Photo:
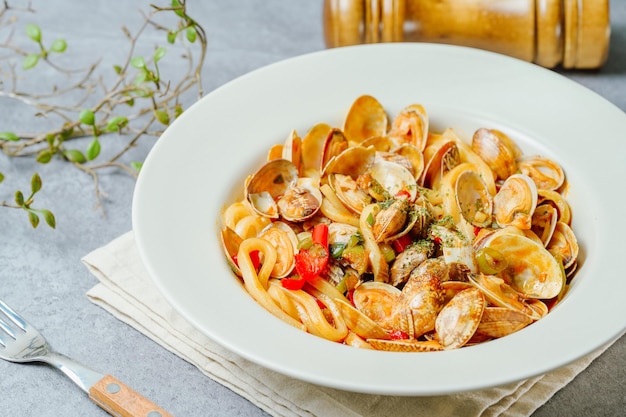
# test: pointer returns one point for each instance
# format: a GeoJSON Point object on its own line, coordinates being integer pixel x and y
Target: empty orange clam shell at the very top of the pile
{"type": "Point", "coordinates": [366, 118]}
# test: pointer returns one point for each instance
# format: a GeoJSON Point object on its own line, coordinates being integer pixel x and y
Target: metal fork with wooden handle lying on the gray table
{"type": "Point", "coordinates": [21, 342]}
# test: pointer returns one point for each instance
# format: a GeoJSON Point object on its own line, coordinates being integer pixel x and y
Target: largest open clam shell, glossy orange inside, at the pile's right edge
{"type": "Point", "coordinates": [531, 270]}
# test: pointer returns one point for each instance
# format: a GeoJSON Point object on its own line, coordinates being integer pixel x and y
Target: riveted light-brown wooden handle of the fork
{"type": "Point", "coordinates": [119, 400]}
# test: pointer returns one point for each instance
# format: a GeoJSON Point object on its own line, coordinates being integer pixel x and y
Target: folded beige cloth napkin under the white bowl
{"type": "Point", "coordinates": [127, 292]}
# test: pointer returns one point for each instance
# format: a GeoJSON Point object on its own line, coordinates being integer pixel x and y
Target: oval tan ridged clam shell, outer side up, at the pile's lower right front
{"type": "Point", "coordinates": [460, 317]}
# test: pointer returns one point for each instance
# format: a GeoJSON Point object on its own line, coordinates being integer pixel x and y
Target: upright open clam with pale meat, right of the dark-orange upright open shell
{"type": "Point", "coordinates": [515, 202]}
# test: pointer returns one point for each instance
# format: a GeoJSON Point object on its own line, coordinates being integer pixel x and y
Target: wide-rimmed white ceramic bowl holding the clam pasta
{"type": "Point", "coordinates": [199, 164]}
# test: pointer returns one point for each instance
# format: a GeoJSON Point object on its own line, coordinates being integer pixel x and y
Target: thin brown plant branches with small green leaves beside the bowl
{"type": "Point", "coordinates": [136, 103]}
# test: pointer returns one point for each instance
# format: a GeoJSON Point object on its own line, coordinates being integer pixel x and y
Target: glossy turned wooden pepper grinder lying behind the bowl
{"type": "Point", "coordinates": [570, 33]}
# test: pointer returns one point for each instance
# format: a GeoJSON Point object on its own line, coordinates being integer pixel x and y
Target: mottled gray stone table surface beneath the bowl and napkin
{"type": "Point", "coordinates": [40, 270]}
